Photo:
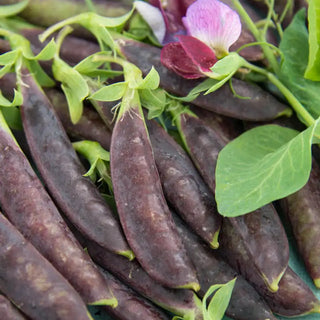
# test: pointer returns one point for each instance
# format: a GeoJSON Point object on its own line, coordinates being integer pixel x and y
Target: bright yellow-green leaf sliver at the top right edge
{"type": "Point", "coordinates": [313, 68]}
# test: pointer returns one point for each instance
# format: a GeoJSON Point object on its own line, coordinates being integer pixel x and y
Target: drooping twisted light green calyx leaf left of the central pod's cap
{"type": "Point", "coordinates": [73, 85]}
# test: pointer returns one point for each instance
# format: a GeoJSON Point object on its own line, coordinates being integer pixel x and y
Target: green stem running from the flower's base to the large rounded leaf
{"type": "Point", "coordinates": [294, 102]}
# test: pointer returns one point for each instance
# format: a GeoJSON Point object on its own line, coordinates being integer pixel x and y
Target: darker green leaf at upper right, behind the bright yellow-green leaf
{"type": "Point", "coordinates": [294, 46]}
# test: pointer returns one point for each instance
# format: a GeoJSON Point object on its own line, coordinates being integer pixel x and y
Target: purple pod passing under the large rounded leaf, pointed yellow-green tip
{"type": "Point", "coordinates": [262, 233]}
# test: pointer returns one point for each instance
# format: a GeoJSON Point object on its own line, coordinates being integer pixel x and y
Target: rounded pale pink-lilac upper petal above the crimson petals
{"type": "Point", "coordinates": [214, 23]}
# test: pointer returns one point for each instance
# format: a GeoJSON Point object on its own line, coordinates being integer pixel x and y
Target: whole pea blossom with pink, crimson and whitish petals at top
{"type": "Point", "coordinates": [192, 43]}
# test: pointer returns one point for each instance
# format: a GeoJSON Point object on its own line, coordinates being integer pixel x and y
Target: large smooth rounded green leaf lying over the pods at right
{"type": "Point", "coordinates": [262, 165]}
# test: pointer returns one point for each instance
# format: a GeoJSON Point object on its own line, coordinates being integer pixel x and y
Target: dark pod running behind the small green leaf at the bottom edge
{"type": "Point", "coordinates": [245, 303]}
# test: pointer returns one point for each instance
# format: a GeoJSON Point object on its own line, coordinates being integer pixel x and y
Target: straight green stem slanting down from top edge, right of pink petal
{"type": "Point", "coordinates": [257, 34]}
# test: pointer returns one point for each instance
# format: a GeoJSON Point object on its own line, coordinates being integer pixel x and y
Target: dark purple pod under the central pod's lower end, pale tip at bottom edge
{"type": "Point", "coordinates": [181, 302]}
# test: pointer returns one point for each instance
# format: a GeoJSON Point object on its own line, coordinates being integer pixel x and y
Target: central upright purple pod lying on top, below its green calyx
{"type": "Point", "coordinates": [143, 211]}
